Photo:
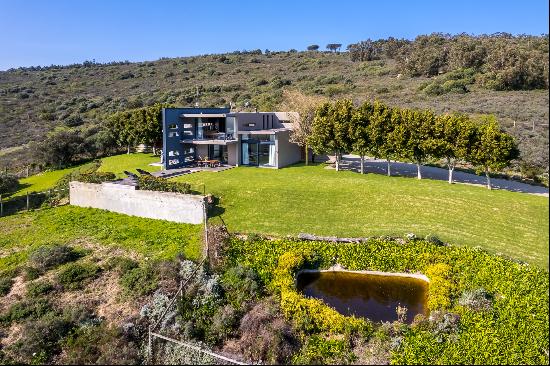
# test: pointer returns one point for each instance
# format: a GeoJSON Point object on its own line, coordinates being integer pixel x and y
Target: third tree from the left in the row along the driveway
{"type": "Point", "coordinates": [383, 122]}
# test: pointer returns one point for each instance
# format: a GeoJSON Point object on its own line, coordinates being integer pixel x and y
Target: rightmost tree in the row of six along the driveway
{"type": "Point", "coordinates": [493, 149]}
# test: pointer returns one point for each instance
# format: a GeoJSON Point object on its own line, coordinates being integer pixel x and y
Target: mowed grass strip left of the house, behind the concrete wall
{"type": "Point", "coordinates": [116, 164]}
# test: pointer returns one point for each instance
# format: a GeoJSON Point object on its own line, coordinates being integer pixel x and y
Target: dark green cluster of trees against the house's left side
{"type": "Point", "coordinates": [138, 126]}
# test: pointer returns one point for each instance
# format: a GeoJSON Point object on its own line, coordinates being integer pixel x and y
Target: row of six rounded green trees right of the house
{"type": "Point", "coordinates": [375, 129]}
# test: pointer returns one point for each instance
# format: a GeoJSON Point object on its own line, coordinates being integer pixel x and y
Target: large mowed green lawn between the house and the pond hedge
{"type": "Point", "coordinates": [315, 200]}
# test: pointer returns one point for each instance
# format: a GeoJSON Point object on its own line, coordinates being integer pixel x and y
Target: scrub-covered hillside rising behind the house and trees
{"type": "Point", "coordinates": [33, 101]}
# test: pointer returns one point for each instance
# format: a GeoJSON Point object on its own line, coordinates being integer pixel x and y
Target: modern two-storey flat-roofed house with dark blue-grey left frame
{"type": "Point", "coordinates": [258, 139]}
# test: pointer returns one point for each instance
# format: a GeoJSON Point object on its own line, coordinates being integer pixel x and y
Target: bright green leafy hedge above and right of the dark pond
{"type": "Point", "coordinates": [513, 331]}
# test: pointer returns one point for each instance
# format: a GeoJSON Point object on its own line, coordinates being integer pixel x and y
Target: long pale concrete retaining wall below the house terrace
{"type": "Point", "coordinates": [177, 207]}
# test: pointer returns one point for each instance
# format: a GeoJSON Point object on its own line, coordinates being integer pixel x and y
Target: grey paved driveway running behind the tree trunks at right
{"type": "Point", "coordinates": [353, 162]}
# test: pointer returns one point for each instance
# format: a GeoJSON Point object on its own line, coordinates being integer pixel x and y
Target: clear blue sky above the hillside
{"type": "Point", "coordinates": [43, 32]}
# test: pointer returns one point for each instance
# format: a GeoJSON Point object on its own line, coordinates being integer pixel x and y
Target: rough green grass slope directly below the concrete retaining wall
{"type": "Point", "coordinates": [154, 239]}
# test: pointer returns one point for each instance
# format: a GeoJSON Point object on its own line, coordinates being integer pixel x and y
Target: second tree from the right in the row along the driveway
{"type": "Point", "coordinates": [453, 137]}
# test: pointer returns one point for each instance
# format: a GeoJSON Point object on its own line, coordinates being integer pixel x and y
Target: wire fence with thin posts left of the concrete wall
{"type": "Point", "coordinates": [26, 202]}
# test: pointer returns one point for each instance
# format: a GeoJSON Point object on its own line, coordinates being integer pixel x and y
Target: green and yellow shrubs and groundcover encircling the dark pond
{"type": "Point", "coordinates": [484, 309]}
